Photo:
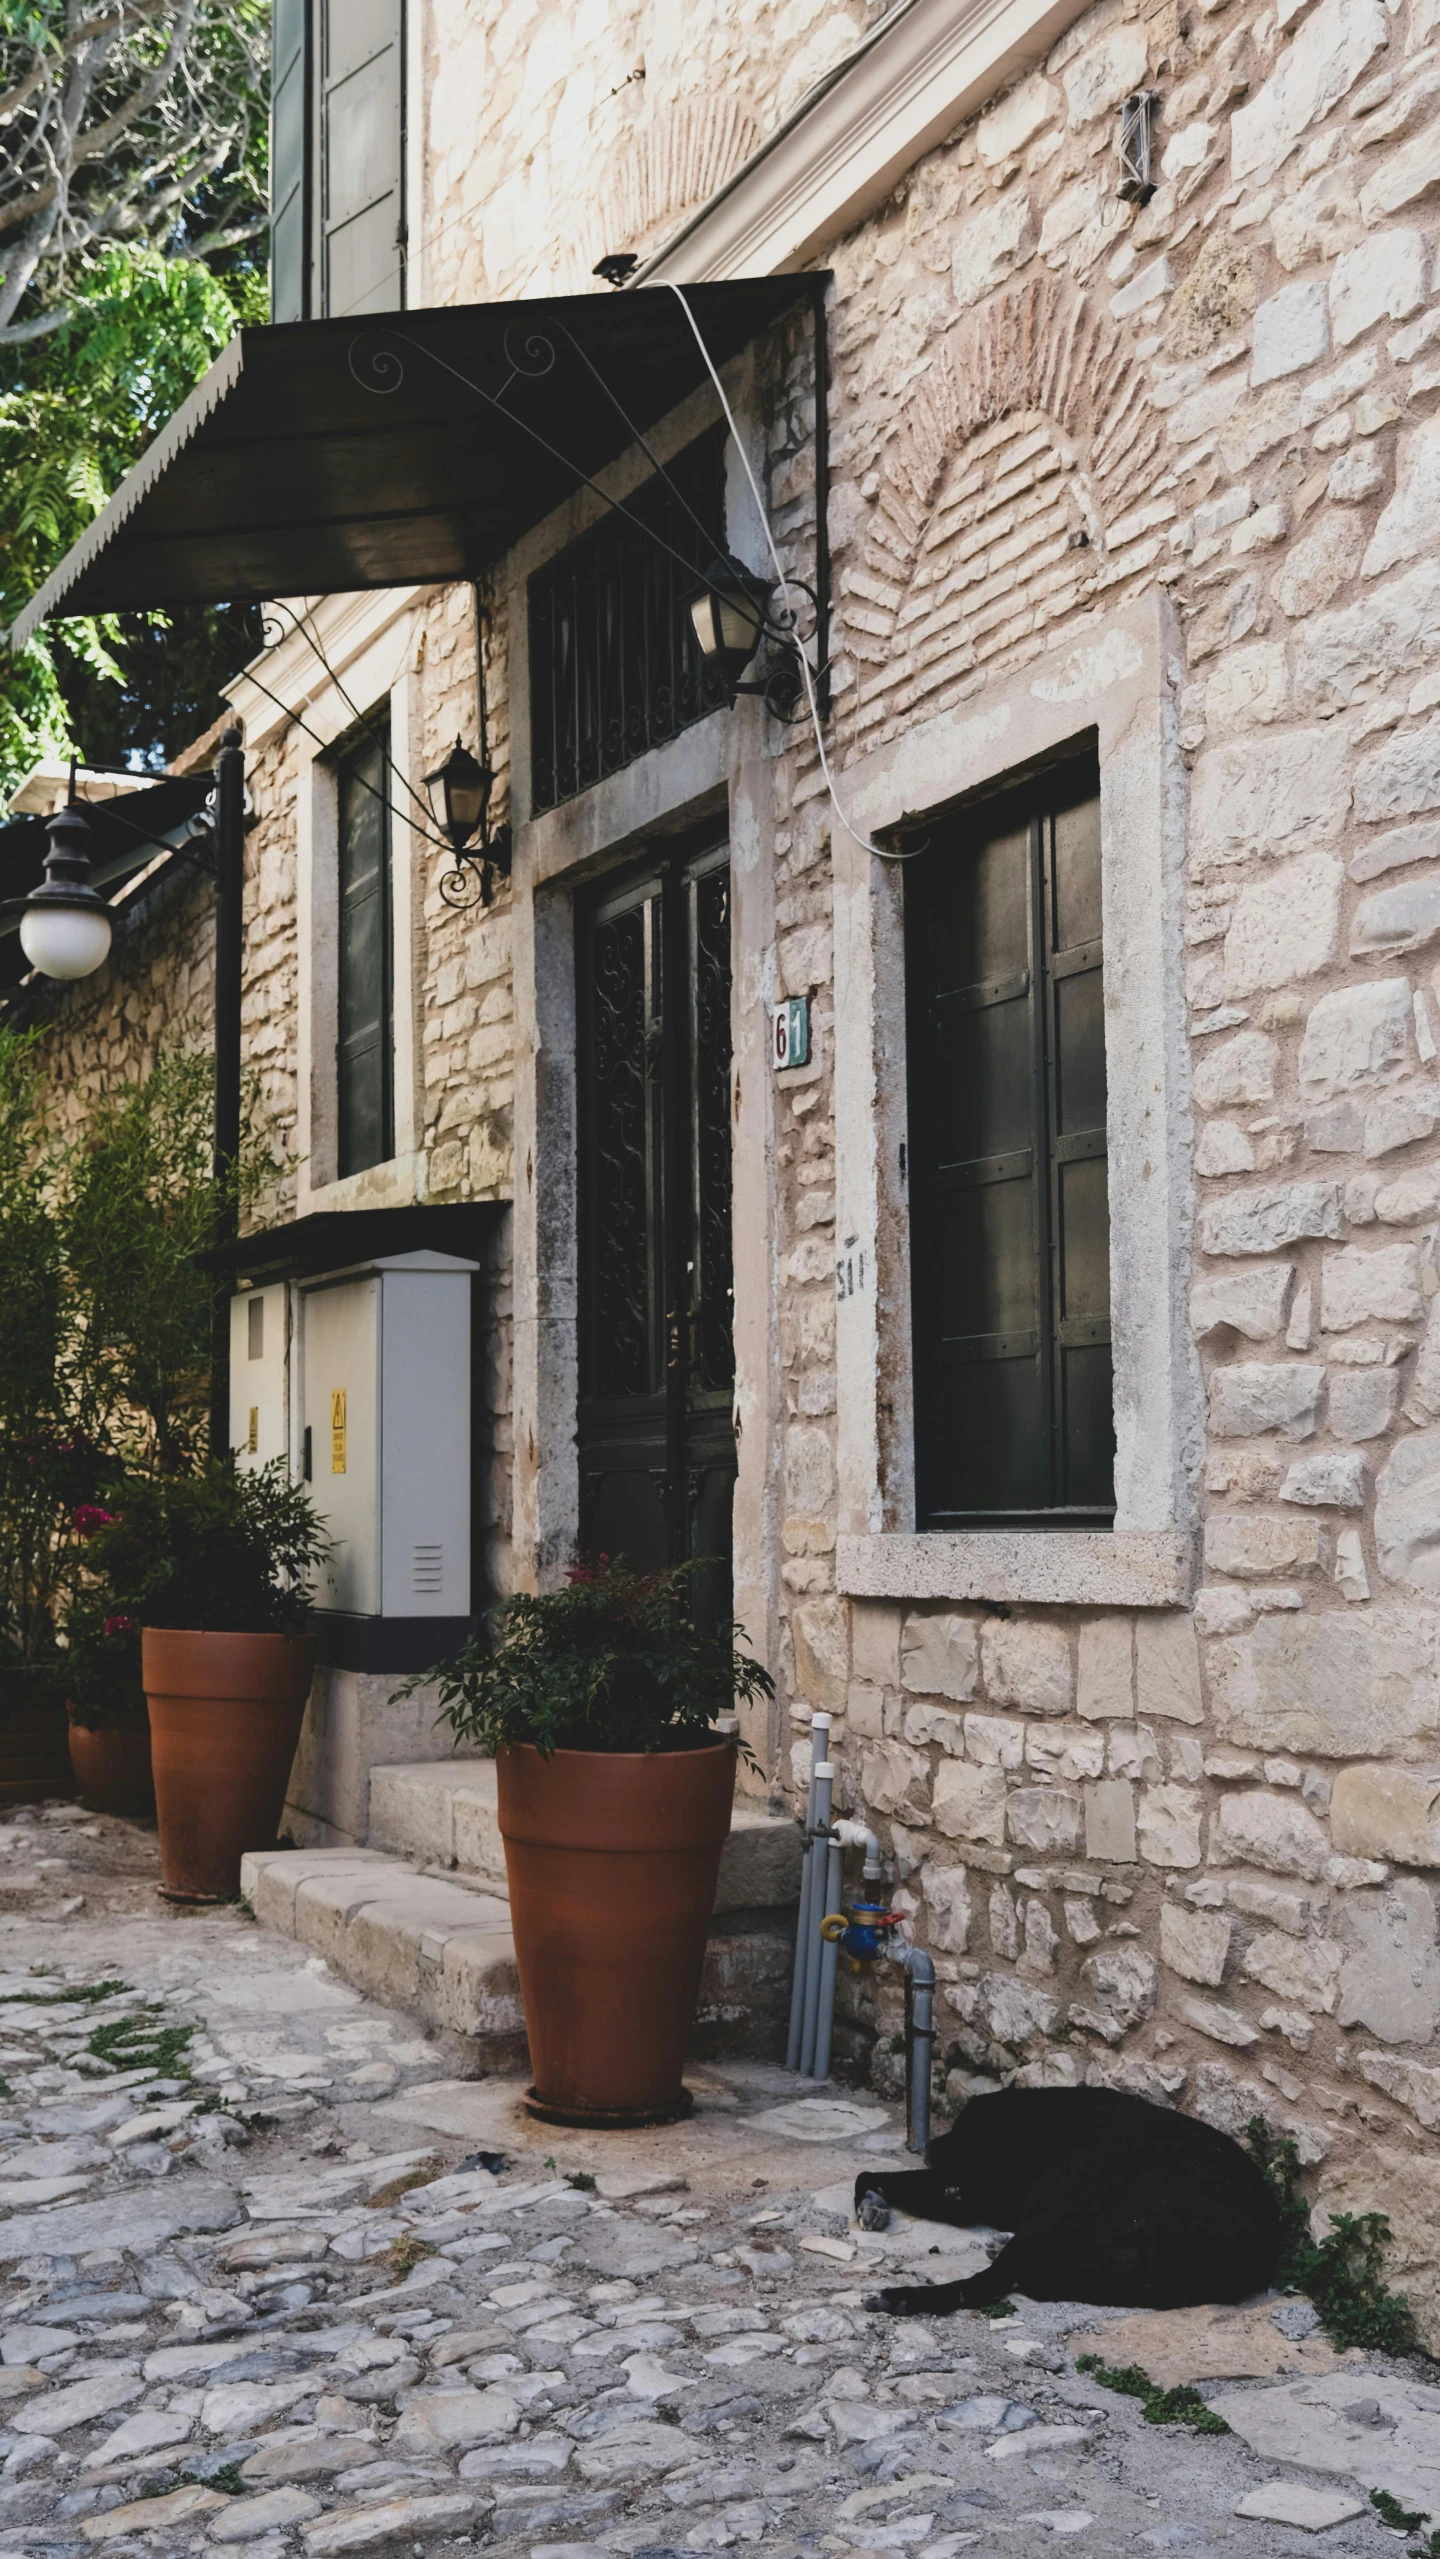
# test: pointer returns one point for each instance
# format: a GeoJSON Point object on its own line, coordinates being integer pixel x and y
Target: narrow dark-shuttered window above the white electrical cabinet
{"type": "Point", "coordinates": [364, 997]}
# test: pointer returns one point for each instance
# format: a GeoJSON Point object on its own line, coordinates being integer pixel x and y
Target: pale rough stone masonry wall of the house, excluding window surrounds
{"type": "Point", "coordinates": [1186, 1849]}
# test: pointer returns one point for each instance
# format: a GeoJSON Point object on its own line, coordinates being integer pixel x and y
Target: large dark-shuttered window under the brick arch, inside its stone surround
{"type": "Point", "coordinates": [1012, 1232]}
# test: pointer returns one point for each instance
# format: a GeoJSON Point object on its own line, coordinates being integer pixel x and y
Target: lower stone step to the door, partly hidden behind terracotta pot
{"type": "Point", "coordinates": [444, 1949]}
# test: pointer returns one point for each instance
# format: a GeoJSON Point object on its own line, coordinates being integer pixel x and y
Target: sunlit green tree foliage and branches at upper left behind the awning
{"type": "Point", "coordinates": [132, 244]}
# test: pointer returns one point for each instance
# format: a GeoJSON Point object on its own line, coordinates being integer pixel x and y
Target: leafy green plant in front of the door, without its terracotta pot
{"type": "Point", "coordinates": [610, 1662]}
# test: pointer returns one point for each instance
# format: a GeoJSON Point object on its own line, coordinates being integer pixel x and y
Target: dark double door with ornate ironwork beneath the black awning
{"type": "Point", "coordinates": [656, 1422]}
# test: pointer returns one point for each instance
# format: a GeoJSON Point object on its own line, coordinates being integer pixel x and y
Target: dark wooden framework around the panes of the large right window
{"type": "Point", "coordinates": [1022, 807]}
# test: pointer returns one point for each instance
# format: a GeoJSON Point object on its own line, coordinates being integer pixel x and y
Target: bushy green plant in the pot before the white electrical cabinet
{"type": "Point", "coordinates": [226, 1552]}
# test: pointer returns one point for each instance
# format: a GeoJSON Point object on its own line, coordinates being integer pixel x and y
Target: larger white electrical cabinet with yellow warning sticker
{"type": "Point", "coordinates": [382, 1370]}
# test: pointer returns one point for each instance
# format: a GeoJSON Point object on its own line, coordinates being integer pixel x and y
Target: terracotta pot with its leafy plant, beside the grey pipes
{"type": "Point", "coordinates": [600, 1706]}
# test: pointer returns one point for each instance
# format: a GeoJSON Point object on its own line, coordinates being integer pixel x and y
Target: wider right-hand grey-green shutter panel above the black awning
{"type": "Point", "coordinates": [362, 155]}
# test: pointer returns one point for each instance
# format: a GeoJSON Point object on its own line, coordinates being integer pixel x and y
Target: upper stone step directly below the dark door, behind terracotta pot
{"type": "Point", "coordinates": [444, 1813]}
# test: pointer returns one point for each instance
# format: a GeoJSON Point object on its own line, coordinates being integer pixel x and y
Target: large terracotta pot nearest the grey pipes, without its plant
{"type": "Point", "coordinates": [613, 1877]}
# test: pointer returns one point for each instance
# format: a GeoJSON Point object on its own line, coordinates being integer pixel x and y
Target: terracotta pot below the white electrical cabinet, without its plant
{"type": "Point", "coordinates": [226, 1718]}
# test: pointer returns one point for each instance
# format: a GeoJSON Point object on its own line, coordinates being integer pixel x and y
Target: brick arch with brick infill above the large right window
{"type": "Point", "coordinates": [1006, 503]}
